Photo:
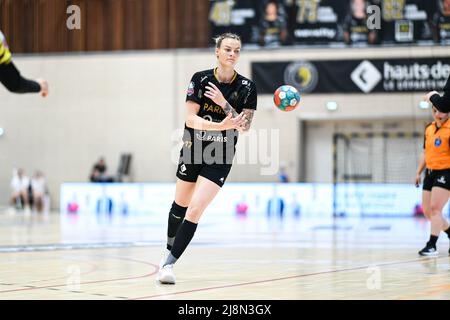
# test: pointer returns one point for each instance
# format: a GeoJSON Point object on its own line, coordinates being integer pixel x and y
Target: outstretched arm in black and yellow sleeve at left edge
{"type": "Point", "coordinates": [11, 78]}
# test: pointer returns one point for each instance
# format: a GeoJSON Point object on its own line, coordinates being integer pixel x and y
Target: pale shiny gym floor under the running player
{"type": "Point", "coordinates": [96, 257]}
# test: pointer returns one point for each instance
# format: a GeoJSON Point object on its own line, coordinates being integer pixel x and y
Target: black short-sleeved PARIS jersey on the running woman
{"type": "Point", "coordinates": [240, 94]}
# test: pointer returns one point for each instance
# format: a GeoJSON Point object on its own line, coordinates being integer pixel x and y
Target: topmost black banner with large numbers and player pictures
{"type": "Point", "coordinates": [332, 21]}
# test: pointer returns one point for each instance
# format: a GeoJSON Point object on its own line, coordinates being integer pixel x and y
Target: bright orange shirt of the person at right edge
{"type": "Point", "coordinates": [437, 146]}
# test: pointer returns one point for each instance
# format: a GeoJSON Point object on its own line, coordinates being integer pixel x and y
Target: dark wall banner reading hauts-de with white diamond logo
{"type": "Point", "coordinates": [353, 76]}
